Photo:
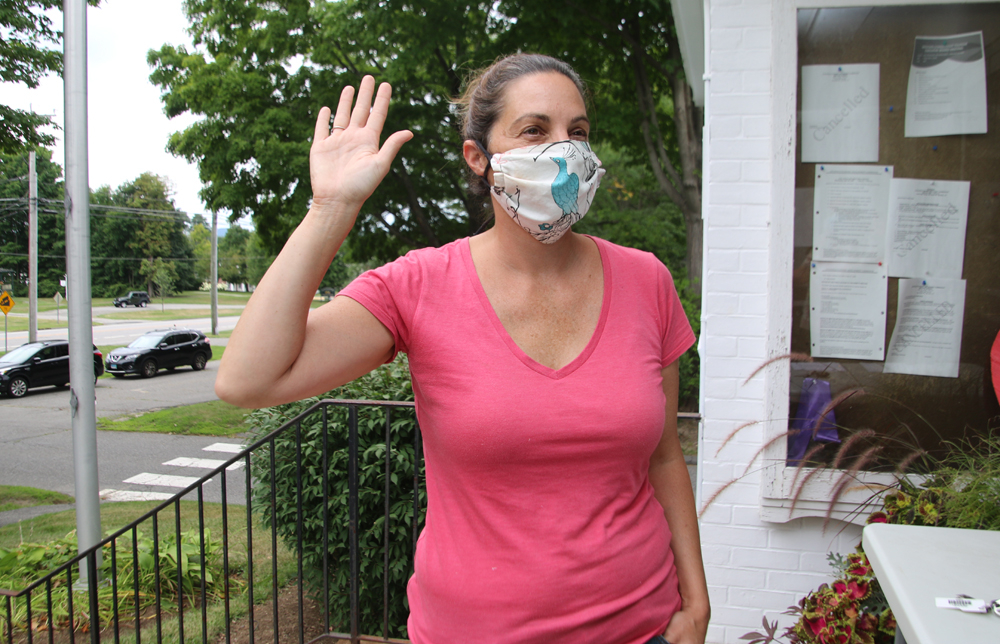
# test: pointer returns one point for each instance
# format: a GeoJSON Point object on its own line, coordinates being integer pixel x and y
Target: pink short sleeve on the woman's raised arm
{"type": "Point", "coordinates": [390, 293]}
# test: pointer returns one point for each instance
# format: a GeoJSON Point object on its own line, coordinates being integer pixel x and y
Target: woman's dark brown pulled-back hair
{"type": "Point", "coordinates": [482, 101]}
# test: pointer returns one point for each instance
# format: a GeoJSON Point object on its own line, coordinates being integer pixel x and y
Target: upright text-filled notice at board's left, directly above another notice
{"type": "Point", "coordinates": [850, 212]}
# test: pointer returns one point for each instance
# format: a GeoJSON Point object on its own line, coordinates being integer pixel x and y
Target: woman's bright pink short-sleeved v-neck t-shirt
{"type": "Point", "coordinates": [541, 527]}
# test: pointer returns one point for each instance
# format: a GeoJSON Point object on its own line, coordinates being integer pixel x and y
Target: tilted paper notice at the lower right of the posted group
{"type": "Point", "coordinates": [927, 340]}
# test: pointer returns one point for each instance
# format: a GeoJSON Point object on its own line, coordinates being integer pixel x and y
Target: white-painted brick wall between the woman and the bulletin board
{"type": "Point", "coordinates": [755, 569]}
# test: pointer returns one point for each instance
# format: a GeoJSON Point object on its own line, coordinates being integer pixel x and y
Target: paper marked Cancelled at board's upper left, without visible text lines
{"type": "Point", "coordinates": [840, 113]}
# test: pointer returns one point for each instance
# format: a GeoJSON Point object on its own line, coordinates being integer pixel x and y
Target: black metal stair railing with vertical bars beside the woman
{"type": "Point", "coordinates": [32, 614]}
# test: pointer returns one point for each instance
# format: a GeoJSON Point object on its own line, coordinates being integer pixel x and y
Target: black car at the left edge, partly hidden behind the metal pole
{"type": "Point", "coordinates": [37, 364]}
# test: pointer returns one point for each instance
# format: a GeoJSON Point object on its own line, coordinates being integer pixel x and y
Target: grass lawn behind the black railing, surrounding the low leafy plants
{"type": "Point", "coordinates": [114, 516]}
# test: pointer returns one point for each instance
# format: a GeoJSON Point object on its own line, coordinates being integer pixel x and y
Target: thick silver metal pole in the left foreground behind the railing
{"type": "Point", "coordinates": [81, 337]}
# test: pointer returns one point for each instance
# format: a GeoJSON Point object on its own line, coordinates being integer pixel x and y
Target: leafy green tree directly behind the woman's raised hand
{"type": "Point", "coordinates": [252, 144]}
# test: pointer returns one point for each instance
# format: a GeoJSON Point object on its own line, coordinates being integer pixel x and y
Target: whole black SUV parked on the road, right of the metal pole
{"type": "Point", "coordinates": [160, 349]}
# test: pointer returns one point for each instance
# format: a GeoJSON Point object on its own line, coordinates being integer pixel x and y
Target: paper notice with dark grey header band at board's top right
{"type": "Point", "coordinates": [946, 92]}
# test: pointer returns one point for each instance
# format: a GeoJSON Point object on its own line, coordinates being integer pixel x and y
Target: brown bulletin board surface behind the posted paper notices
{"type": "Point", "coordinates": [905, 411]}
